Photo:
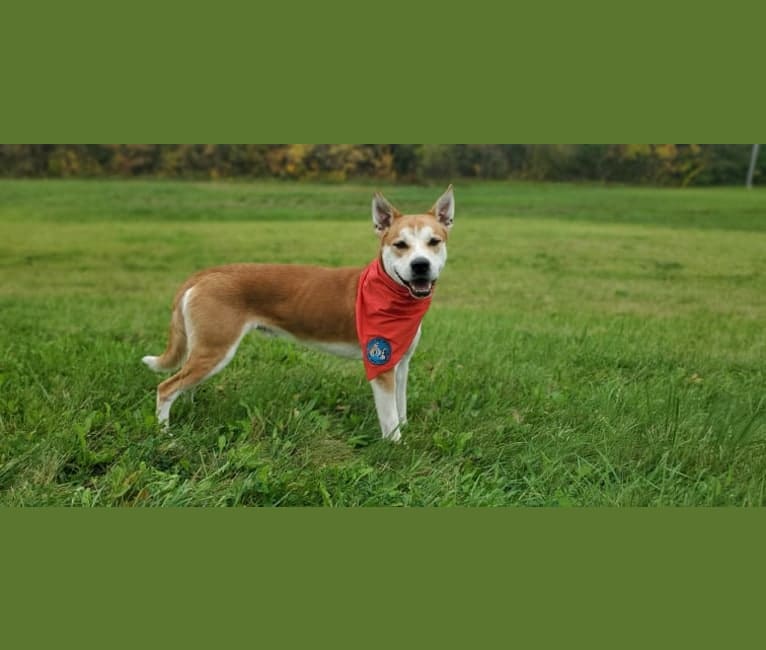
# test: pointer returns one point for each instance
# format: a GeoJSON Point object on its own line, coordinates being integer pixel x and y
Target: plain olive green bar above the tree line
{"type": "Point", "coordinates": [400, 72]}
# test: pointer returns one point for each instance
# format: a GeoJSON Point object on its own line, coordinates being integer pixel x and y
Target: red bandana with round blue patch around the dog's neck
{"type": "Point", "coordinates": [387, 319]}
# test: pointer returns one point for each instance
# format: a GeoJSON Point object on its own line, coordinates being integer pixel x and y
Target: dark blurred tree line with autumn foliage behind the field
{"type": "Point", "coordinates": [655, 164]}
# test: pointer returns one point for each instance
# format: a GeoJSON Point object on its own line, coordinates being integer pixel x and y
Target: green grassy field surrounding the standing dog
{"type": "Point", "coordinates": [586, 346]}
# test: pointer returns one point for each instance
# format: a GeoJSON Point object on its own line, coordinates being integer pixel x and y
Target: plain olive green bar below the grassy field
{"type": "Point", "coordinates": [358, 578]}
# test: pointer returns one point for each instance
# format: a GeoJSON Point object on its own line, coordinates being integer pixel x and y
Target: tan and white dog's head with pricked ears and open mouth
{"type": "Point", "coordinates": [413, 248]}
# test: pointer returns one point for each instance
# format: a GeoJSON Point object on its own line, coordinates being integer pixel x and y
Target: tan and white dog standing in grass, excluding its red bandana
{"type": "Point", "coordinates": [215, 308]}
